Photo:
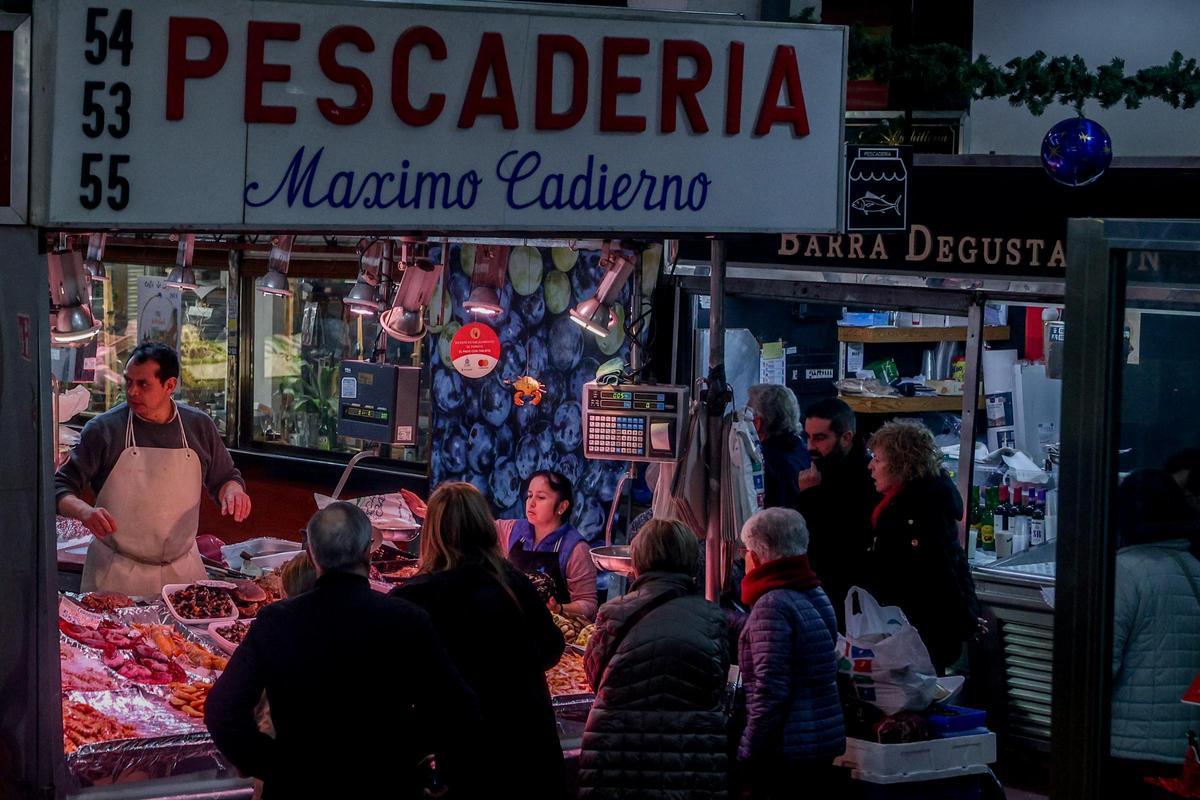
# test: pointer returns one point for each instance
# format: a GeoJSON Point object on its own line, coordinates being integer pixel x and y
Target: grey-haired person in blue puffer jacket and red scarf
{"type": "Point", "coordinates": [795, 726]}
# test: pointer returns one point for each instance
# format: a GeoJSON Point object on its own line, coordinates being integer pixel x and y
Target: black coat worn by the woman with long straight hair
{"type": "Point", "coordinates": [503, 653]}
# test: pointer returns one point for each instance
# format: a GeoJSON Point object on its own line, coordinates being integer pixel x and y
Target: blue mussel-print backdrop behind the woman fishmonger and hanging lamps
{"type": "Point", "coordinates": [481, 435]}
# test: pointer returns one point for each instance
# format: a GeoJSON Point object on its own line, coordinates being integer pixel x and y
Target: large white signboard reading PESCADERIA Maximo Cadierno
{"type": "Point", "coordinates": [269, 116]}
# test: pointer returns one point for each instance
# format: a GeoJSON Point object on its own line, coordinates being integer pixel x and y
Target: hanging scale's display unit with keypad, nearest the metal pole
{"type": "Point", "coordinates": [634, 423]}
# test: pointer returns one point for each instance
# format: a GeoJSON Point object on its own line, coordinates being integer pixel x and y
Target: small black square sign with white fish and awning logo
{"type": "Point", "coordinates": [878, 188]}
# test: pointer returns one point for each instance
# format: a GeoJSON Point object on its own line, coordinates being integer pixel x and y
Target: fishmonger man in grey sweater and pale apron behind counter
{"type": "Point", "coordinates": [147, 461]}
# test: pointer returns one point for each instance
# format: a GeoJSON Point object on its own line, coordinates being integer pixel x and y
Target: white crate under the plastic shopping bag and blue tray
{"type": "Point", "coordinates": [932, 756]}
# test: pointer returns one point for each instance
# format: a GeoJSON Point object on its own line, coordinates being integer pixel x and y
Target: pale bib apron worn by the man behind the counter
{"type": "Point", "coordinates": [154, 495]}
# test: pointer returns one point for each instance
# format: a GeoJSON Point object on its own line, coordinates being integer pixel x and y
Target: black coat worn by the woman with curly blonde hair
{"type": "Point", "coordinates": [916, 563]}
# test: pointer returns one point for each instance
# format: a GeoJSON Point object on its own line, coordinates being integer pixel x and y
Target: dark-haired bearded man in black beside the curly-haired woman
{"type": "Point", "coordinates": [837, 498]}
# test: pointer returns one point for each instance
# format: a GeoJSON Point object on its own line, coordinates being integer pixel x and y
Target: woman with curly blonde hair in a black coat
{"type": "Point", "coordinates": [916, 561]}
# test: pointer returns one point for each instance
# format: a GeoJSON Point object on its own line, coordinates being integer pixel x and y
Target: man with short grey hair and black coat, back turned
{"type": "Point", "coordinates": [361, 688]}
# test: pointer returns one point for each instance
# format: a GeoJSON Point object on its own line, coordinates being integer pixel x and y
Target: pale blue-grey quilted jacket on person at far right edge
{"type": "Point", "coordinates": [1156, 652]}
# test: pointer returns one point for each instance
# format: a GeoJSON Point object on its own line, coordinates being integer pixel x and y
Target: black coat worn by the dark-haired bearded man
{"type": "Point", "coordinates": [838, 513]}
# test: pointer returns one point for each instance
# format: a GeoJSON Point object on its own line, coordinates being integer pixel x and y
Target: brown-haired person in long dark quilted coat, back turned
{"type": "Point", "coordinates": [659, 664]}
